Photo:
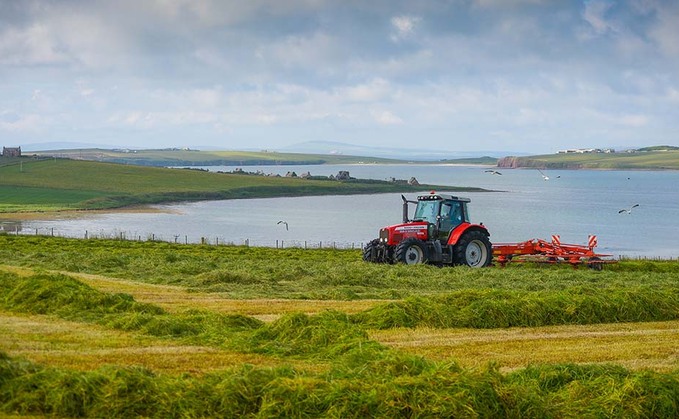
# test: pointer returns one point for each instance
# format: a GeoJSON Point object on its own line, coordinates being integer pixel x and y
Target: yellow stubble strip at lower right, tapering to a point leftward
{"type": "Point", "coordinates": [636, 346]}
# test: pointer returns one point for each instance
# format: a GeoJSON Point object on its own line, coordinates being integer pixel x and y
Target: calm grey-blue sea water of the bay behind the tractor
{"type": "Point", "coordinates": [571, 203]}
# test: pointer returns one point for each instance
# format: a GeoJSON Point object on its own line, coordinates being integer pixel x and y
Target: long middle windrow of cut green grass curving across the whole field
{"type": "Point", "coordinates": [70, 299]}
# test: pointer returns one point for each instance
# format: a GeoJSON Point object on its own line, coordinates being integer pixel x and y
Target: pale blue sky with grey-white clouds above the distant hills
{"type": "Point", "coordinates": [461, 75]}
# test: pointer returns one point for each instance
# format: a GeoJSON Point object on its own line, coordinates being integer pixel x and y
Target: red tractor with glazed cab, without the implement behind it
{"type": "Point", "coordinates": [440, 233]}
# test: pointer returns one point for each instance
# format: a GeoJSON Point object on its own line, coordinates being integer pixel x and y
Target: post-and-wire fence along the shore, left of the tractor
{"type": "Point", "coordinates": [186, 239]}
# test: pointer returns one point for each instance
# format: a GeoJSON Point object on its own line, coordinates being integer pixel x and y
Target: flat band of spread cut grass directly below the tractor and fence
{"type": "Point", "coordinates": [240, 272]}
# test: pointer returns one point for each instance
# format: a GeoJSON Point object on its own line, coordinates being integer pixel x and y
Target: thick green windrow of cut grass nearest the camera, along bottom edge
{"type": "Point", "coordinates": [397, 386]}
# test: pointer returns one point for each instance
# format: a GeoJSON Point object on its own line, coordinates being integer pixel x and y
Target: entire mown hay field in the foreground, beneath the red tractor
{"type": "Point", "coordinates": [92, 328]}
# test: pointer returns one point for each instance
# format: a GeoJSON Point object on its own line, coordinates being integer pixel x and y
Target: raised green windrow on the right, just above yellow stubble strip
{"type": "Point", "coordinates": [487, 309]}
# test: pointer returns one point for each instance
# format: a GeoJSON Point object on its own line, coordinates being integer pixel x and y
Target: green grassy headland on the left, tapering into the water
{"type": "Point", "coordinates": [61, 184]}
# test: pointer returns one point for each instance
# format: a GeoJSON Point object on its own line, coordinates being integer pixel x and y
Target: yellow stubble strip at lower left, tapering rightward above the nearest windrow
{"type": "Point", "coordinates": [86, 346]}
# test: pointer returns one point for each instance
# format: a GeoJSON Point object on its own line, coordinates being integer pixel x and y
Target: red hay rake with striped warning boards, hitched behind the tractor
{"type": "Point", "coordinates": [542, 251]}
